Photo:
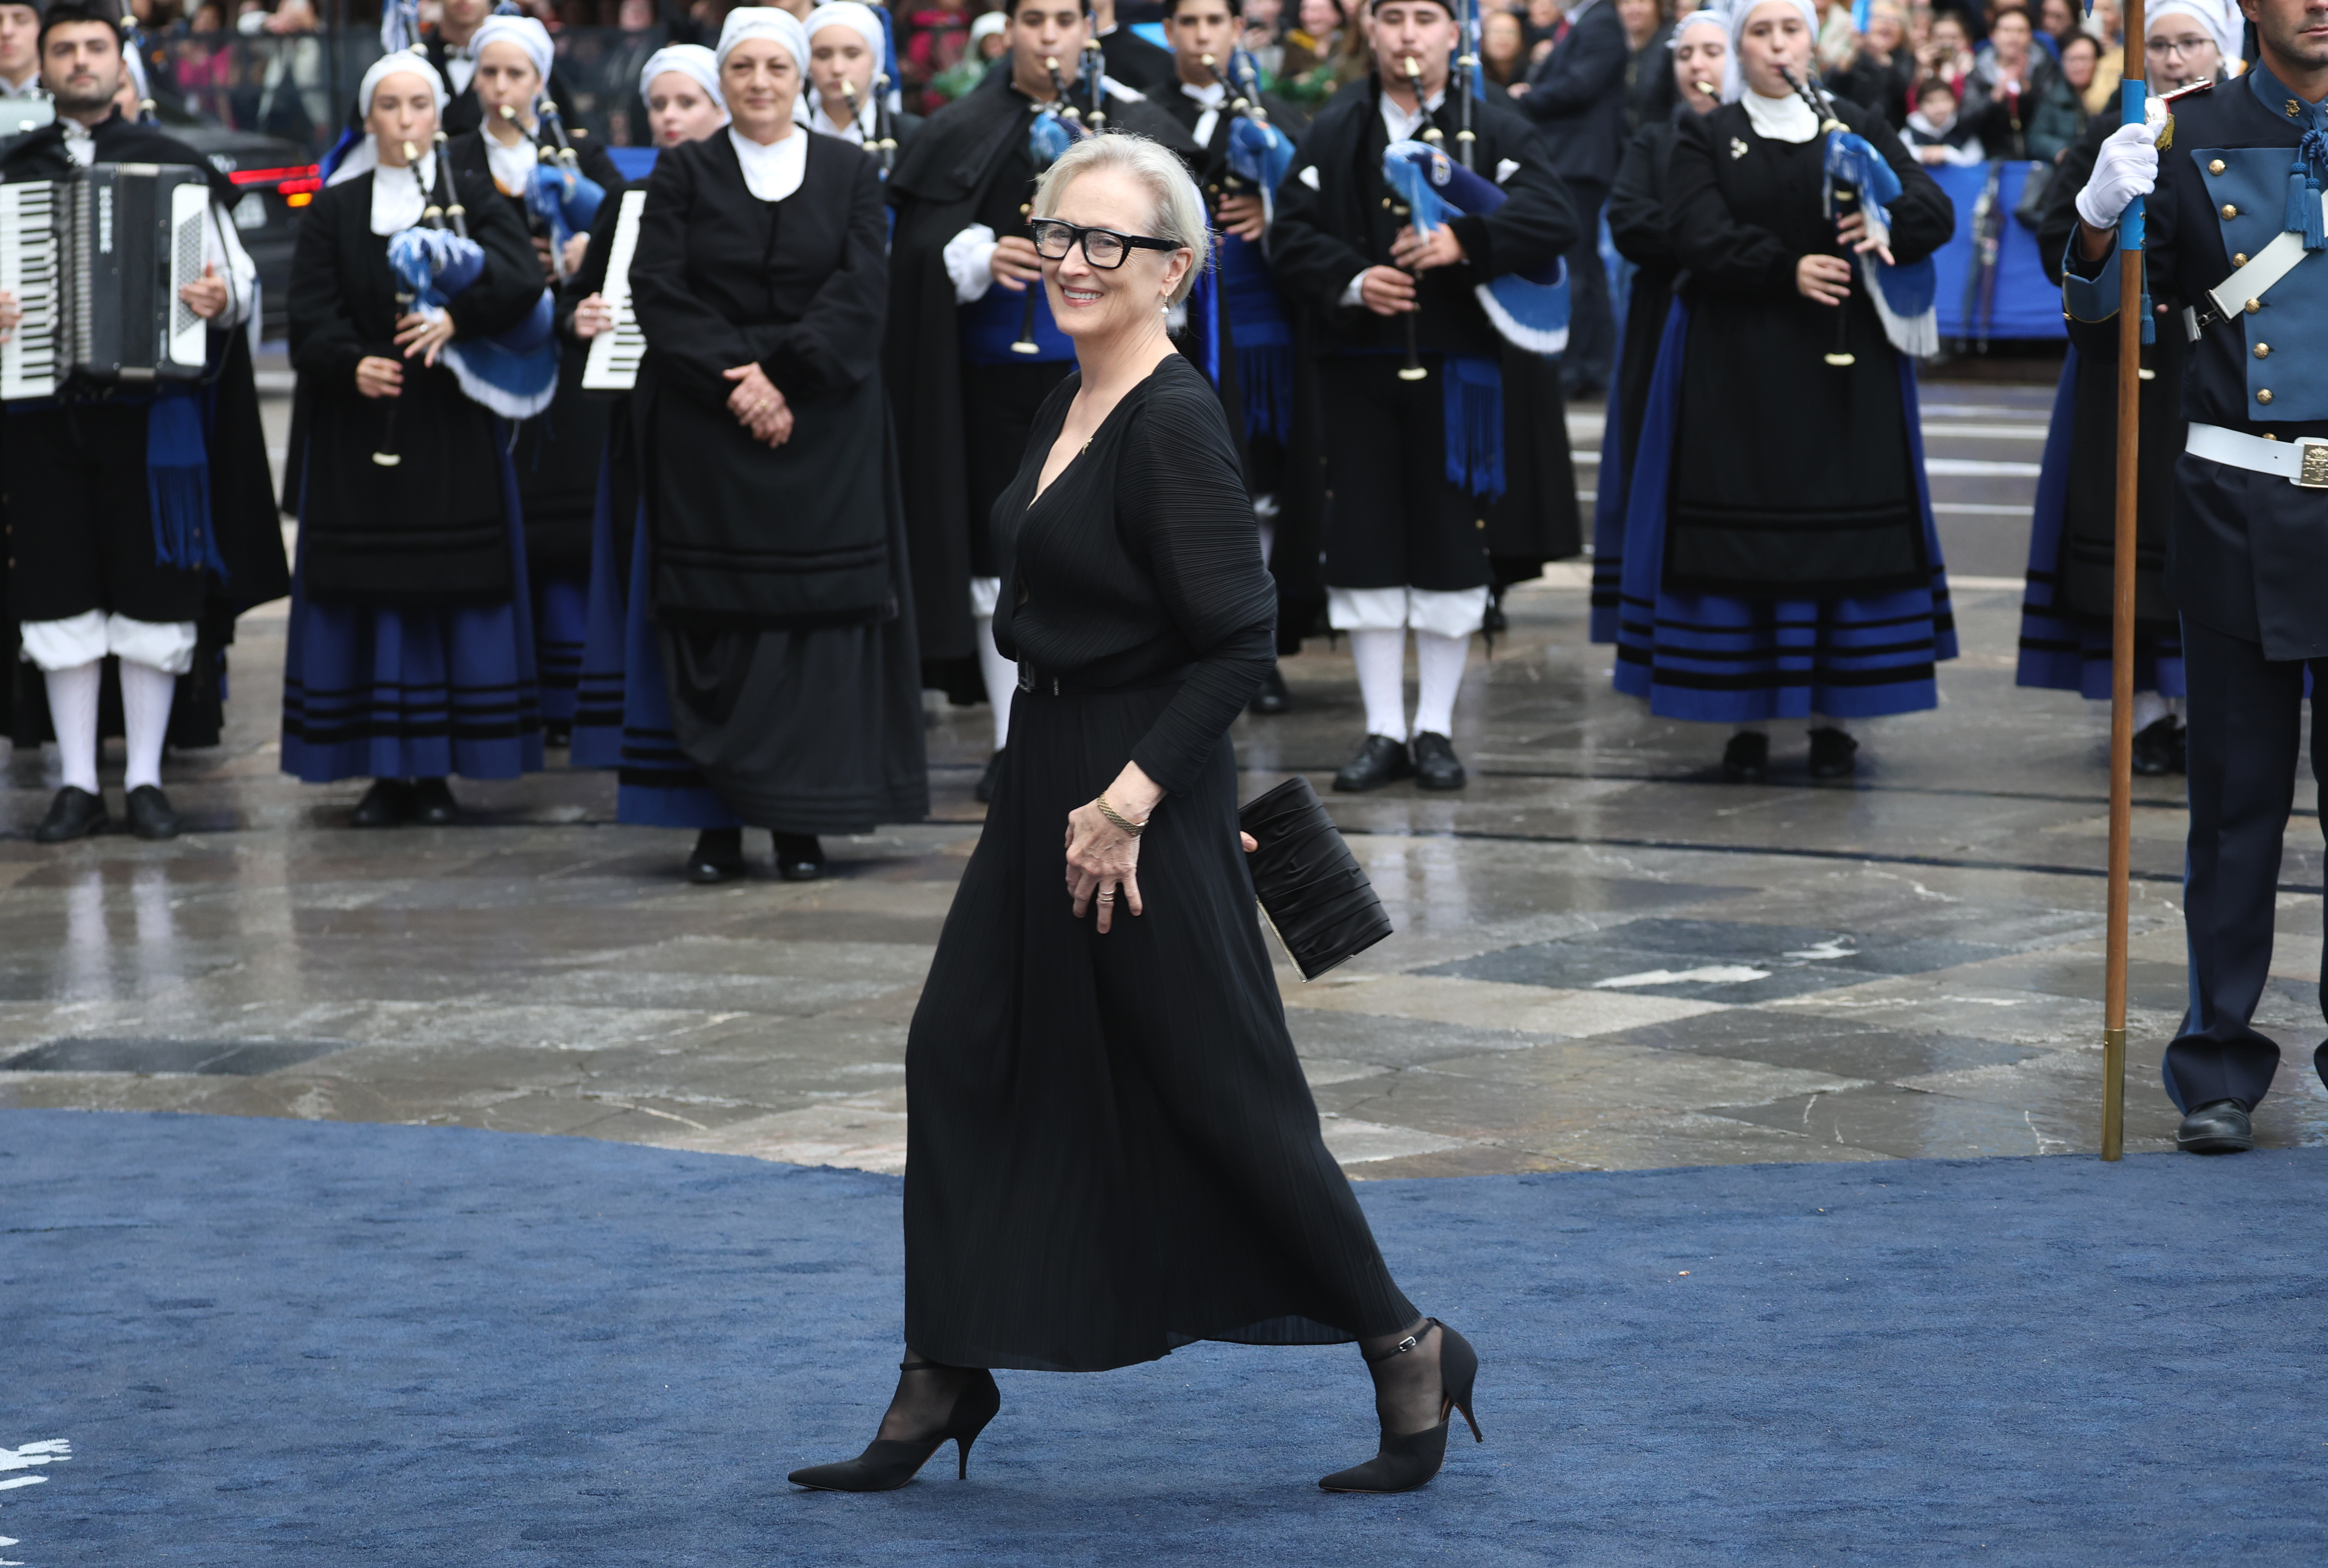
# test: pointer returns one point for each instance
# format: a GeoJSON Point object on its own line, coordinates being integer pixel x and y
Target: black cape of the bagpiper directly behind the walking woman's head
{"type": "Point", "coordinates": [937, 190]}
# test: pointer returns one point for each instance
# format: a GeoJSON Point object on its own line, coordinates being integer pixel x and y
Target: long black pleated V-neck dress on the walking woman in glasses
{"type": "Point", "coordinates": [1112, 1148]}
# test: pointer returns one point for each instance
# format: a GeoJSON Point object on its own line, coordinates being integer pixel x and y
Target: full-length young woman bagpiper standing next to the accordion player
{"type": "Point", "coordinates": [411, 653]}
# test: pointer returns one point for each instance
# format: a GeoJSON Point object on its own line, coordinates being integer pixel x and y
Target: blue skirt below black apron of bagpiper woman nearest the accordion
{"type": "Point", "coordinates": [376, 692]}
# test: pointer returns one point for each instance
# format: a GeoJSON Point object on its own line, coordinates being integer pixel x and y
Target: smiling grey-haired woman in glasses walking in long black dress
{"type": "Point", "coordinates": [1112, 1148]}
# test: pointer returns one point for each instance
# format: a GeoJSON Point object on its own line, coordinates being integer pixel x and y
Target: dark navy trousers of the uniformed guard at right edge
{"type": "Point", "coordinates": [2245, 734]}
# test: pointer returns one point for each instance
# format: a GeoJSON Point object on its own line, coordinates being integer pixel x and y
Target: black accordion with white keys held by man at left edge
{"type": "Point", "coordinates": [97, 264]}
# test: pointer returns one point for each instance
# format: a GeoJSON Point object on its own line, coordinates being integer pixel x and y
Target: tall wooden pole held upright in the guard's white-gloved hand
{"type": "Point", "coordinates": [2122, 622]}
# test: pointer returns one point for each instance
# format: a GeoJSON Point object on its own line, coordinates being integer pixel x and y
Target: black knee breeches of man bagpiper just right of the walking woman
{"type": "Point", "coordinates": [1393, 520]}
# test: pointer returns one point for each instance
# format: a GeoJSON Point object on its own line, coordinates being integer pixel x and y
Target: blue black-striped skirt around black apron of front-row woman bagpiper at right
{"type": "Point", "coordinates": [1722, 660]}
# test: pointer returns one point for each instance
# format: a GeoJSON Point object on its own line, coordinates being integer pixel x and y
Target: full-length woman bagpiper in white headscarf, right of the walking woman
{"type": "Point", "coordinates": [1780, 546]}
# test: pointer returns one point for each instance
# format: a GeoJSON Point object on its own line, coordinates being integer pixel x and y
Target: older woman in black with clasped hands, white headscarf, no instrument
{"type": "Point", "coordinates": [779, 576]}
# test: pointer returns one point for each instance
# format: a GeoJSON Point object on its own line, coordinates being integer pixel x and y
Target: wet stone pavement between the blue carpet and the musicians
{"type": "Point", "coordinates": [1605, 957]}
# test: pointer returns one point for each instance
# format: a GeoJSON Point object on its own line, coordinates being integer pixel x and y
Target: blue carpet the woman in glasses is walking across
{"type": "Point", "coordinates": [320, 1344]}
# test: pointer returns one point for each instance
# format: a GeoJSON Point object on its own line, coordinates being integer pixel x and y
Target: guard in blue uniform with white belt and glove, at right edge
{"type": "Point", "coordinates": [2238, 257]}
